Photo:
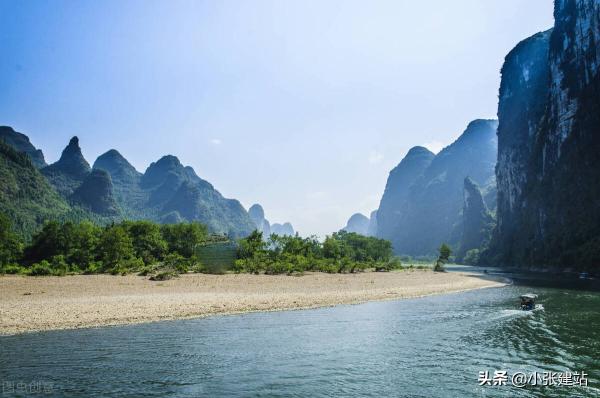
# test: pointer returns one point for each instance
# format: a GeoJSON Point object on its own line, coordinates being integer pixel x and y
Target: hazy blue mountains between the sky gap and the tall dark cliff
{"type": "Point", "coordinates": [425, 198]}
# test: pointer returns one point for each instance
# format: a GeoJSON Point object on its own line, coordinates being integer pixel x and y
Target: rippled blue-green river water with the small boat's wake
{"type": "Point", "coordinates": [427, 347]}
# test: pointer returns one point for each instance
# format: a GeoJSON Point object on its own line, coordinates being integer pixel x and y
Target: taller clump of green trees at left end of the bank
{"type": "Point", "coordinates": [130, 246]}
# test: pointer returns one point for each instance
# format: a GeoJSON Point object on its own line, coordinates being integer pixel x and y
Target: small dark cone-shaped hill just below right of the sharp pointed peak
{"type": "Point", "coordinates": [96, 192]}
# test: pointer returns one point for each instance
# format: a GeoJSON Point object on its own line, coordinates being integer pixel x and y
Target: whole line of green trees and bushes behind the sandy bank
{"type": "Point", "coordinates": [149, 248]}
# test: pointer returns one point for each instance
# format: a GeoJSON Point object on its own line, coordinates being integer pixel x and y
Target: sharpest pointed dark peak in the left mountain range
{"type": "Point", "coordinates": [69, 171]}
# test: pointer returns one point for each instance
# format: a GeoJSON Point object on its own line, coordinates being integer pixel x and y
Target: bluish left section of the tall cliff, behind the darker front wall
{"type": "Point", "coordinates": [523, 93]}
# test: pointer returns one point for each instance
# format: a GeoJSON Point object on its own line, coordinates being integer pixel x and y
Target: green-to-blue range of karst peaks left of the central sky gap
{"type": "Point", "coordinates": [110, 190]}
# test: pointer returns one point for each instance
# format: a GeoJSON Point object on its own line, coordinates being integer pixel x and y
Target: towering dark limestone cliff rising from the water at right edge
{"type": "Point", "coordinates": [549, 140]}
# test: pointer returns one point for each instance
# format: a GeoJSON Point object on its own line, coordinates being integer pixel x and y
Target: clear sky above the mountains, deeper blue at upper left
{"type": "Point", "coordinates": [302, 106]}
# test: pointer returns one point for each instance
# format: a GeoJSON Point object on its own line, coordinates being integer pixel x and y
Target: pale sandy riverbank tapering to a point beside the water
{"type": "Point", "coordinates": [45, 303]}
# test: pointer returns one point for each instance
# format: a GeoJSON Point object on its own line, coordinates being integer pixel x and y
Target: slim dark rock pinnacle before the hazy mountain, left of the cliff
{"type": "Point", "coordinates": [478, 223]}
